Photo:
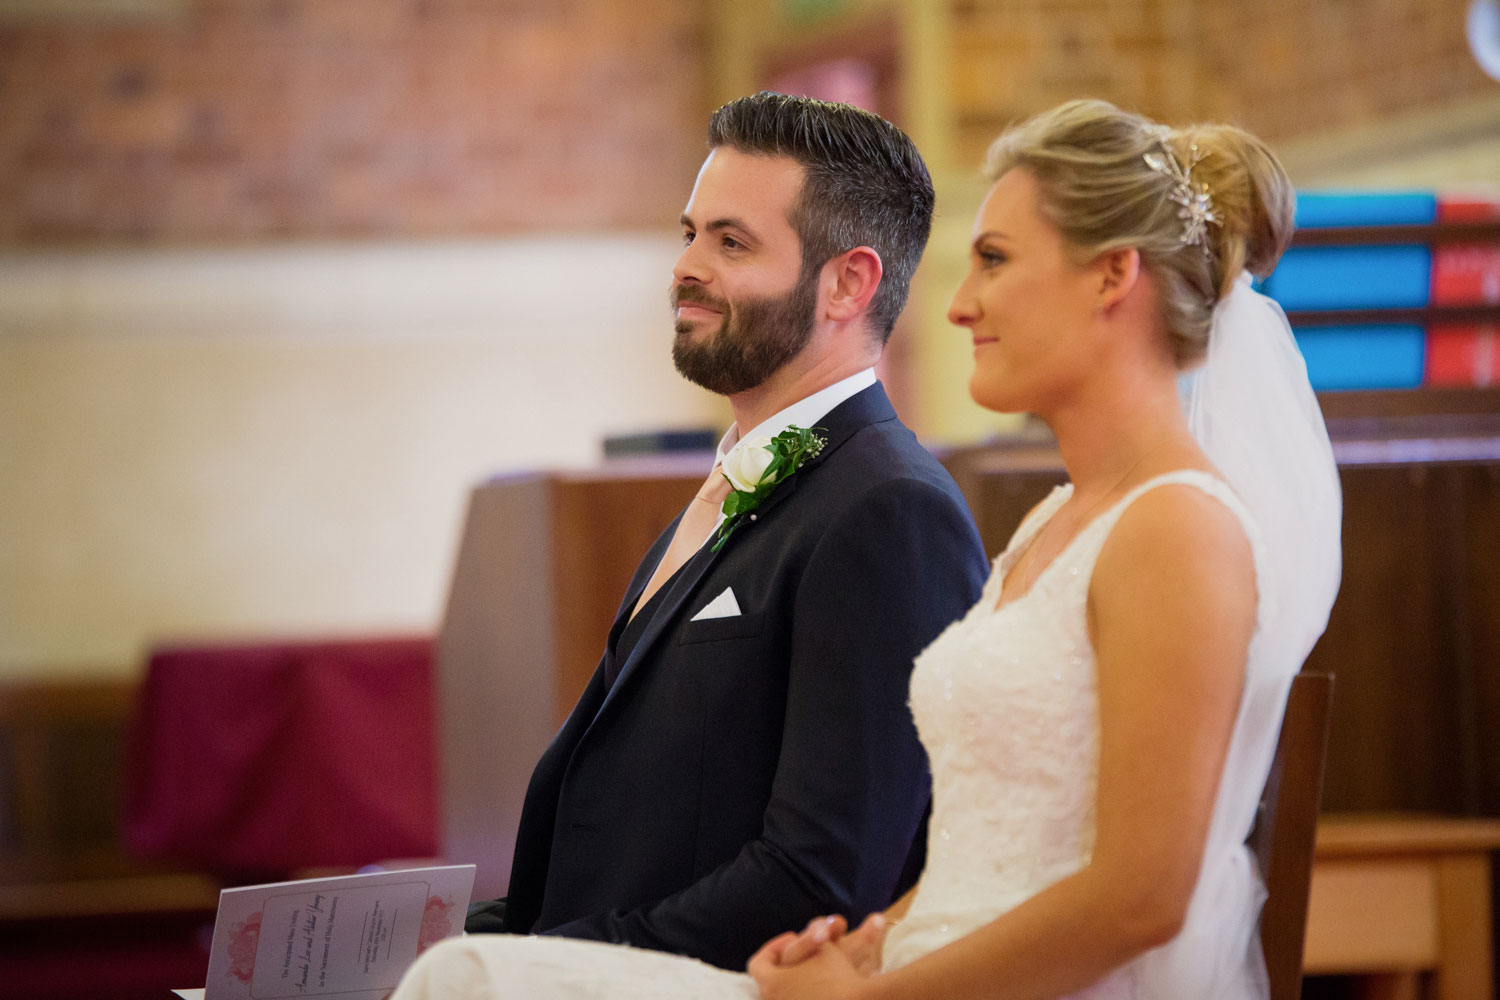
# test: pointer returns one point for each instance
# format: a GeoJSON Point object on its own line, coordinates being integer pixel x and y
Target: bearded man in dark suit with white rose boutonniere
{"type": "Point", "coordinates": [743, 758]}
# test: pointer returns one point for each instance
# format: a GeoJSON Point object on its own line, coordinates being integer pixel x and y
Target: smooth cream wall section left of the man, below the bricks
{"type": "Point", "coordinates": [226, 445]}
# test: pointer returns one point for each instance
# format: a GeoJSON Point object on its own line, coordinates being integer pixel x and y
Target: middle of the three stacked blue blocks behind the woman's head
{"type": "Point", "coordinates": [1352, 278]}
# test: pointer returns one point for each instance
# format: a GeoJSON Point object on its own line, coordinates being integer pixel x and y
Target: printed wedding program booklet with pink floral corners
{"type": "Point", "coordinates": [352, 936]}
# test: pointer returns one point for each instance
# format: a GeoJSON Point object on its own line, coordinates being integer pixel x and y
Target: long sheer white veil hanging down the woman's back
{"type": "Point", "coordinates": [1253, 412]}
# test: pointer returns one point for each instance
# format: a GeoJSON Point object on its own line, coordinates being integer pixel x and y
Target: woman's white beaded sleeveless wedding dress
{"type": "Point", "coordinates": [1006, 702]}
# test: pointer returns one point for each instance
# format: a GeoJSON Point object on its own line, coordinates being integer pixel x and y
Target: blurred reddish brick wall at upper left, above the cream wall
{"type": "Point", "coordinates": [254, 119]}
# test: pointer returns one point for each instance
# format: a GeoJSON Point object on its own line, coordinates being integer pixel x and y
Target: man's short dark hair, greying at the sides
{"type": "Point", "coordinates": [866, 185]}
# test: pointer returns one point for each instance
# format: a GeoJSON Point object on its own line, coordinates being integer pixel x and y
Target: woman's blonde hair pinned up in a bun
{"type": "Point", "coordinates": [1090, 161]}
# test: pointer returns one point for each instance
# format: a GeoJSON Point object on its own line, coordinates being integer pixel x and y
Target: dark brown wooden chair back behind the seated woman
{"type": "Point", "coordinates": [1286, 828]}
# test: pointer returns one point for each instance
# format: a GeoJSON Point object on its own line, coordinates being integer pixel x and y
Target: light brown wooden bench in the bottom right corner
{"type": "Point", "coordinates": [1403, 902]}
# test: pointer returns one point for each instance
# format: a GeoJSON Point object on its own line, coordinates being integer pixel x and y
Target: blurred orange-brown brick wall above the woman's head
{"type": "Point", "coordinates": [1282, 68]}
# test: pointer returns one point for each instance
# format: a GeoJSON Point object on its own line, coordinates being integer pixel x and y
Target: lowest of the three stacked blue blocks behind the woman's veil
{"type": "Point", "coordinates": [1364, 358]}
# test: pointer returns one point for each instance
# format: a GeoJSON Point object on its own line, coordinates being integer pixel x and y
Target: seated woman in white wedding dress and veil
{"type": "Point", "coordinates": [1102, 723]}
